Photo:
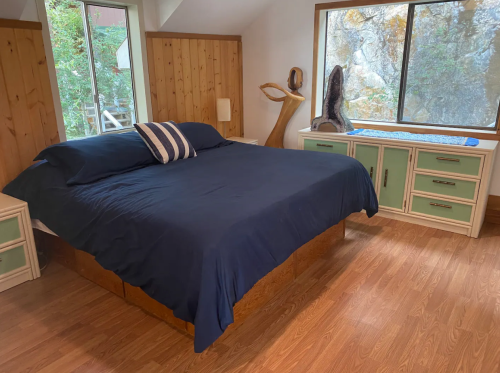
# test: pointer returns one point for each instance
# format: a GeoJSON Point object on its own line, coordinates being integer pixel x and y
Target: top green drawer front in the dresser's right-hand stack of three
{"type": "Point", "coordinates": [458, 164]}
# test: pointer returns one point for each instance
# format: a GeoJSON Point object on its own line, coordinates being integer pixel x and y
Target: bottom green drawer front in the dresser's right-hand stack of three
{"type": "Point", "coordinates": [449, 210]}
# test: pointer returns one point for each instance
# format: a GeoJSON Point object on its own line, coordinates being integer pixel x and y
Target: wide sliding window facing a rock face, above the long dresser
{"type": "Point", "coordinates": [429, 63]}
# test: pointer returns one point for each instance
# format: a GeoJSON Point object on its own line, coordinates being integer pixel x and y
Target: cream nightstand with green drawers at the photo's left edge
{"type": "Point", "coordinates": [18, 259]}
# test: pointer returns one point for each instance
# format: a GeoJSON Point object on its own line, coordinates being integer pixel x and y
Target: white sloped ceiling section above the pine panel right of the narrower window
{"type": "Point", "coordinates": [225, 17]}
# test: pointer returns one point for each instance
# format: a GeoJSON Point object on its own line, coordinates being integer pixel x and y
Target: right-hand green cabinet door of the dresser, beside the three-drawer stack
{"type": "Point", "coordinates": [393, 177]}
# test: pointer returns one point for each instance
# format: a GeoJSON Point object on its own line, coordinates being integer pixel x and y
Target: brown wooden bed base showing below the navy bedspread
{"type": "Point", "coordinates": [84, 264]}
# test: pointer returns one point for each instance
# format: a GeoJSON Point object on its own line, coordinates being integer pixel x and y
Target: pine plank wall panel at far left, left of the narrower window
{"type": "Point", "coordinates": [27, 117]}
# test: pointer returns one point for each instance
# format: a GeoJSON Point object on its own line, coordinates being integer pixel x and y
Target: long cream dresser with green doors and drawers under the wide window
{"type": "Point", "coordinates": [440, 186]}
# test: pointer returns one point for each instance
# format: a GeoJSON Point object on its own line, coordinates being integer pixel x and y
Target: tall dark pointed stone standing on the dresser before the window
{"type": "Point", "coordinates": [333, 118]}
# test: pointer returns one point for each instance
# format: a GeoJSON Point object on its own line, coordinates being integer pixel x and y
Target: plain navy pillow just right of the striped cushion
{"type": "Point", "coordinates": [202, 136]}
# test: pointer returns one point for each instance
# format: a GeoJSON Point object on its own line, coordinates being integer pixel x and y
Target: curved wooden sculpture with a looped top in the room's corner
{"type": "Point", "coordinates": [291, 102]}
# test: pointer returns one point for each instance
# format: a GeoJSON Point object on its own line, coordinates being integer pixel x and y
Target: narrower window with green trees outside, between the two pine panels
{"type": "Point", "coordinates": [91, 50]}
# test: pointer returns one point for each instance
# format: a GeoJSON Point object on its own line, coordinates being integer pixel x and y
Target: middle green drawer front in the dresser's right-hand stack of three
{"type": "Point", "coordinates": [445, 186]}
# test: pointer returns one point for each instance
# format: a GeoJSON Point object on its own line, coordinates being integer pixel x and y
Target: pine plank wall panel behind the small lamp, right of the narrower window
{"type": "Point", "coordinates": [188, 72]}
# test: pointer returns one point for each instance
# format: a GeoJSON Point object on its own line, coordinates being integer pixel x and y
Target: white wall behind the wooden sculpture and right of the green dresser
{"type": "Point", "coordinates": [281, 38]}
